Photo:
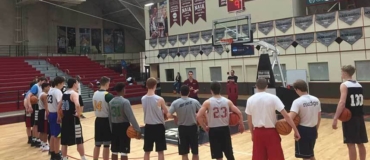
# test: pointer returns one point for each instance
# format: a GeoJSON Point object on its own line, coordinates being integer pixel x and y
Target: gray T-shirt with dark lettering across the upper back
{"type": "Point", "coordinates": [186, 109]}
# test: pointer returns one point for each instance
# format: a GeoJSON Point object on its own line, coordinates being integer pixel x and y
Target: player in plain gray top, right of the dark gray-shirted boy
{"type": "Point", "coordinates": [154, 107]}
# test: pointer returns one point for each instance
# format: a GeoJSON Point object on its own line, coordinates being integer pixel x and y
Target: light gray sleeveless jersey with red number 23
{"type": "Point", "coordinates": [218, 112]}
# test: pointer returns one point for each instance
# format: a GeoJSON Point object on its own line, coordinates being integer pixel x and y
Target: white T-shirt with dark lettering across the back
{"type": "Point", "coordinates": [307, 107]}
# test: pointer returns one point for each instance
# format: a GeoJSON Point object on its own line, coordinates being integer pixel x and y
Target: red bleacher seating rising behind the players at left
{"type": "Point", "coordinates": [16, 75]}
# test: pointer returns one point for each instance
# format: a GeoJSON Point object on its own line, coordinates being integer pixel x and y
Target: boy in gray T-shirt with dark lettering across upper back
{"type": "Point", "coordinates": [186, 109]}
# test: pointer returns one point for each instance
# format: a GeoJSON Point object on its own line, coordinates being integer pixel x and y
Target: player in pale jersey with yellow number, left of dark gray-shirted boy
{"type": "Point", "coordinates": [103, 133]}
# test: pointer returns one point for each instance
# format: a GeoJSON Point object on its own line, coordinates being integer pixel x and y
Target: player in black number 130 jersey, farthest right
{"type": "Point", "coordinates": [354, 130]}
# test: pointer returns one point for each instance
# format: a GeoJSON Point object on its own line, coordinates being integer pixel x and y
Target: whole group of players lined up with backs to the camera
{"type": "Point", "coordinates": [114, 115]}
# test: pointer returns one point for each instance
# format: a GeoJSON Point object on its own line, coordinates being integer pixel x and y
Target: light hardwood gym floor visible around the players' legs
{"type": "Point", "coordinates": [13, 145]}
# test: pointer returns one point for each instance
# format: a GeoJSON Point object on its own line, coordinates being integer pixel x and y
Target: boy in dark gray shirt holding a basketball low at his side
{"type": "Point", "coordinates": [121, 116]}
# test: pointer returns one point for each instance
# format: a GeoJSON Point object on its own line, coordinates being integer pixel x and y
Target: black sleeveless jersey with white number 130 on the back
{"type": "Point", "coordinates": [355, 98]}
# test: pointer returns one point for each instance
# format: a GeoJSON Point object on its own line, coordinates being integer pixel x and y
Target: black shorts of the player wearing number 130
{"type": "Point", "coordinates": [354, 130]}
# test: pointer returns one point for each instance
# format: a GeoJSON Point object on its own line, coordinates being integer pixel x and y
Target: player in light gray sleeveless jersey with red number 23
{"type": "Point", "coordinates": [218, 115]}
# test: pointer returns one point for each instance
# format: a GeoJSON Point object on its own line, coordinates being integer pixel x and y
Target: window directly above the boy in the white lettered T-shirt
{"type": "Point", "coordinates": [318, 71]}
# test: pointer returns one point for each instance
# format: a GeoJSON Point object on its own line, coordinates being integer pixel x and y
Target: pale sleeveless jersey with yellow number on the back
{"type": "Point", "coordinates": [101, 107]}
